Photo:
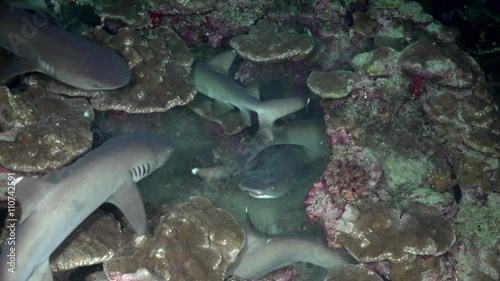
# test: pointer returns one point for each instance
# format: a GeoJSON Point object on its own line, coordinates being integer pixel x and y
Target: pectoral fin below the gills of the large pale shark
{"type": "Point", "coordinates": [129, 200]}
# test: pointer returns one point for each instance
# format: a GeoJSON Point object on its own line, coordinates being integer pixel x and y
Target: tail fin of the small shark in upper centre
{"type": "Point", "coordinates": [272, 110]}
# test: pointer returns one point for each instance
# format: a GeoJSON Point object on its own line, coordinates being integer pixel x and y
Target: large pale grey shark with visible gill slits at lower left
{"type": "Point", "coordinates": [54, 205]}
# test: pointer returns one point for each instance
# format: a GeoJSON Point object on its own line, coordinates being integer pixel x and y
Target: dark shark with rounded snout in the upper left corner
{"type": "Point", "coordinates": [42, 47]}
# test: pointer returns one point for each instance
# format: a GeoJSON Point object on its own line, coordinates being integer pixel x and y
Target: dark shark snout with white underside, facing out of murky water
{"type": "Point", "coordinates": [262, 187]}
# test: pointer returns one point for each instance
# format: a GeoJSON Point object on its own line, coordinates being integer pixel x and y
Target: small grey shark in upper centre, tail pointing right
{"type": "Point", "coordinates": [212, 80]}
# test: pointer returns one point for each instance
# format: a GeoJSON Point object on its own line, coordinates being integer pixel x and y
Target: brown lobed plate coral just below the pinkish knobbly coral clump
{"type": "Point", "coordinates": [374, 231]}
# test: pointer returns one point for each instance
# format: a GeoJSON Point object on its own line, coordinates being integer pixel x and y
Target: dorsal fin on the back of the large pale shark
{"type": "Point", "coordinates": [28, 191]}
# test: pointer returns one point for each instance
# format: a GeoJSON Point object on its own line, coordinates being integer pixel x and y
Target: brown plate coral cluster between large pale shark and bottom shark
{"type": "Point", "coordinates": [191, 240]}
